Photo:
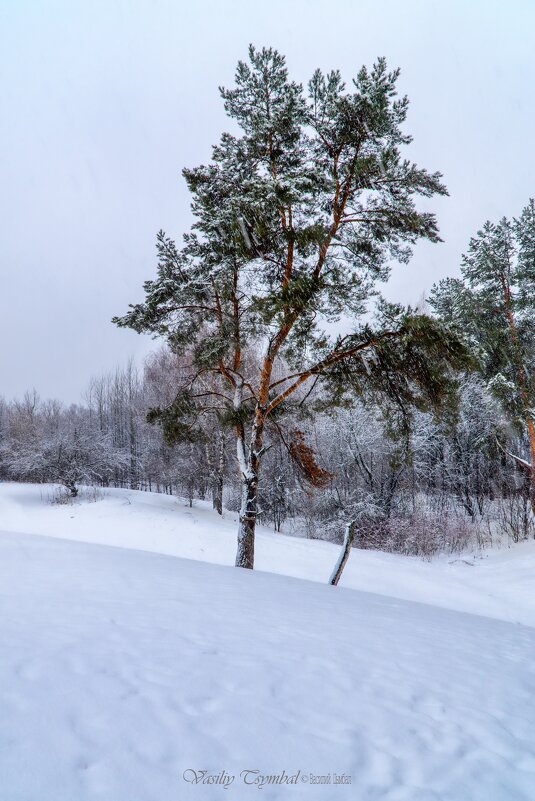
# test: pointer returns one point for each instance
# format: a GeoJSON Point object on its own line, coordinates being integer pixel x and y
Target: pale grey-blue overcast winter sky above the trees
{"type": "Point", "coordinates": [103, 102]}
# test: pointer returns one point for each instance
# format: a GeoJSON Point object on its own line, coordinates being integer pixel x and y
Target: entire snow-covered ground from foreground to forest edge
{"type": "Point", "coordinates": [122, 670]}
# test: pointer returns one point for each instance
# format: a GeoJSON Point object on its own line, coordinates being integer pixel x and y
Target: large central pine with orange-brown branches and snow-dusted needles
{"type": "Point", "coordinates": [296, 218]}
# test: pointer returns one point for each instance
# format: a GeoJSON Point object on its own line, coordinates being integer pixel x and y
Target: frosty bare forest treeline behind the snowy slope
{"type": "Point", "coordinates": [444, 485]}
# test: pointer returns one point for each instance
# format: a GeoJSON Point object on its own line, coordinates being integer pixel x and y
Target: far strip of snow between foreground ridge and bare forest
{"type": "Point", "coordinates": [499, 585]}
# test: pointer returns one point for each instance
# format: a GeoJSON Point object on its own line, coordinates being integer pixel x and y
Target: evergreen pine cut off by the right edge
{"type": "Point", "coordinates": [495, 304]}
